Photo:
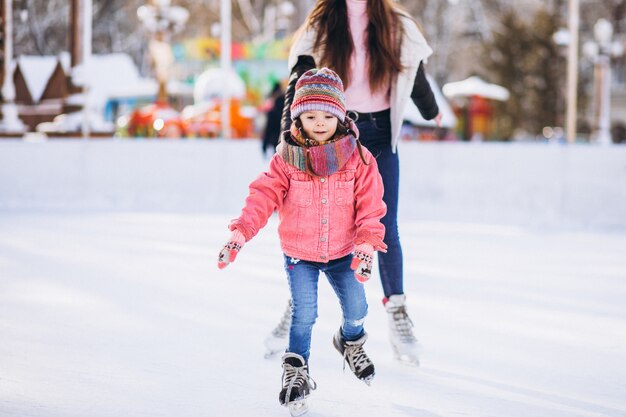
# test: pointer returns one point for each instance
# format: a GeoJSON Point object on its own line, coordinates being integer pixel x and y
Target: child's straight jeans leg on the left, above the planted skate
{"type": "Point", "coordinates": [303, 277]}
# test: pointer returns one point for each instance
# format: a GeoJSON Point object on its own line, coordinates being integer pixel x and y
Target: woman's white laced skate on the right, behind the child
{"type": "Point", "coordinates": [405, 346]}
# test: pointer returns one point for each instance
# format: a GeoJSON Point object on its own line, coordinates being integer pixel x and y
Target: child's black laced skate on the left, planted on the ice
{"type": "Point", "coordinates": [297, 384]}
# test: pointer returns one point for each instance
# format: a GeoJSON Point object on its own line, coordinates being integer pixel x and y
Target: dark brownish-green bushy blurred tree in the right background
{"type": "Point", "coordinates": [523, 57]}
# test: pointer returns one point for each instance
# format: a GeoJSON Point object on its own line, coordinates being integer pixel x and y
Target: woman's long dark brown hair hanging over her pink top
{"type": "Point", "coordinates": [384, 37]}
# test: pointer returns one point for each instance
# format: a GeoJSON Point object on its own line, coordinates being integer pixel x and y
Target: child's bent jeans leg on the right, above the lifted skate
{"type": "Point", "coordinates": [351, 297]}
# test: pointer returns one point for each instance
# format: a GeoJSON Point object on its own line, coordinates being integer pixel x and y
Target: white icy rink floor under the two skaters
{"type": "Point", "coordinates": [126, 315]}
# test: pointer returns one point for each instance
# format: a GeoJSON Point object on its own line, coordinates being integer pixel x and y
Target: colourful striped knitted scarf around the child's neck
{"type": "Point", "coordinates": [325, 159]}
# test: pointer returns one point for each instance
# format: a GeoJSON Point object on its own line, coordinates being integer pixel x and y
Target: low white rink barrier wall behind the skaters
{"type": "Point", "coordinates": [531, 185]}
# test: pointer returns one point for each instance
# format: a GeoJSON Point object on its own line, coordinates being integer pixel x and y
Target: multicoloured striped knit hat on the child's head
{"type": "Point", "coordinates": [319, 89]}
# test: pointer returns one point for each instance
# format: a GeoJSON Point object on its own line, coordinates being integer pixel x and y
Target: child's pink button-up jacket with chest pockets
{"type": "Point", "coordinates": [321, 218]}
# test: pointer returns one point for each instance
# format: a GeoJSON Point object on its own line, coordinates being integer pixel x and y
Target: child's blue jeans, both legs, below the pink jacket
{"type": "Point", "coordinates": [303, 277]}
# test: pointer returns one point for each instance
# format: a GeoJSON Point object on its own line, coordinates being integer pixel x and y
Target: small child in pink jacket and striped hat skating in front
{"type": "Point", "coordinates": [328, 194]}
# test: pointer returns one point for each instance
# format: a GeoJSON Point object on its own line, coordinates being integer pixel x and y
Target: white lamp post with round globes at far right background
{"type": "Point", "coordinates": [601, 52]}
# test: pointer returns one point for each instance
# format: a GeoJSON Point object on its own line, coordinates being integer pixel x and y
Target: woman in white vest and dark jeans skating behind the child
{"type": "Point", "coordinates": [379, 52]}
